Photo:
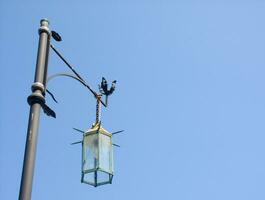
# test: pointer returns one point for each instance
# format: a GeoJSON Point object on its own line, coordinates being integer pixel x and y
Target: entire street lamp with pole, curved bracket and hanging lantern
{"type": "Point", "coordinates": [103, 161]}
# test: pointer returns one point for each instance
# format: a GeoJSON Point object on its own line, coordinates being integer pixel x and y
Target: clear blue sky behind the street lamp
{"type": "Point", "coordinates": [190, 95]}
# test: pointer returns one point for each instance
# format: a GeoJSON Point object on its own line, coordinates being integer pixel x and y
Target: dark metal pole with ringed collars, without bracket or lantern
{"type": "Point", "coordinates": [35, 100]}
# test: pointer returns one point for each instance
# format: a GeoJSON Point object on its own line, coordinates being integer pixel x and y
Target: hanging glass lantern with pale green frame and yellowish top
{"type": "Point", "coordinates": [97, 156]}
